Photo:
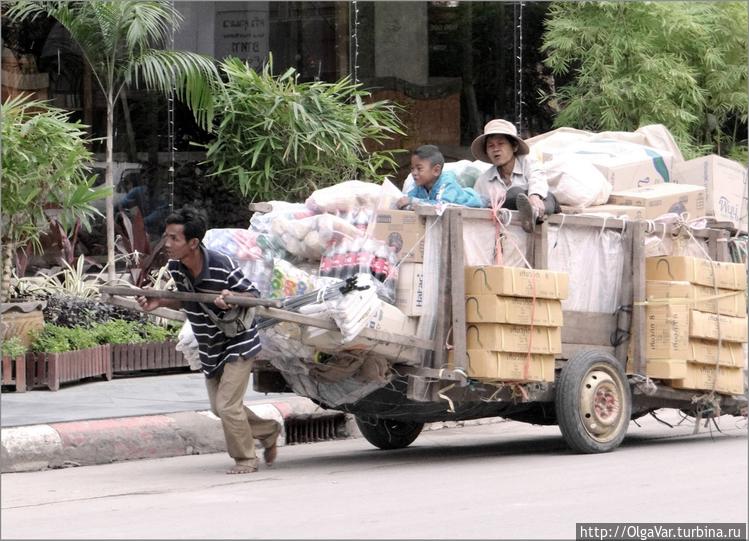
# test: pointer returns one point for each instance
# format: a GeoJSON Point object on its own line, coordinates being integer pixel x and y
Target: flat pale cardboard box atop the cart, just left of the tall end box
{"type": "Point", "coordinates": [663, 198]}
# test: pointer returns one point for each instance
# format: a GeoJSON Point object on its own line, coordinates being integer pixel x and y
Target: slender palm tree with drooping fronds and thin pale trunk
{"type": "Point", "coordinates": [123, 42]}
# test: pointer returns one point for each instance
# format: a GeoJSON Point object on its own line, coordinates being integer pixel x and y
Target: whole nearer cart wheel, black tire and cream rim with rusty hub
{"type": "Point", "coordinates": [593, 402]}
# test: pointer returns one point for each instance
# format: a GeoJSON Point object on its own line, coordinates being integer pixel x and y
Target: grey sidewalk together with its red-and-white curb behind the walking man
{"type": "Point", "coordinates": [100, 422]}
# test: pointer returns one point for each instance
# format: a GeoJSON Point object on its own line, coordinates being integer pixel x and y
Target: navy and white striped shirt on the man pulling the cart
{"type": "Point", "coordinates": [219, 272]}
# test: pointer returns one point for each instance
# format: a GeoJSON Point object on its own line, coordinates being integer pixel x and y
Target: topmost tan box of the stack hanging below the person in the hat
{"type": "Point", "coordinates": [516, 282]}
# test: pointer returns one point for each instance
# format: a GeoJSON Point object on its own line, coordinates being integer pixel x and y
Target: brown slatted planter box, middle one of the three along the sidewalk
{"type": "Point", "coordinates": [52, 369]}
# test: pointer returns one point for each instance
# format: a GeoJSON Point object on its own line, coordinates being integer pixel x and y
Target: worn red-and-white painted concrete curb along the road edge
{"type": "Point", "coordinates": [105, 441]}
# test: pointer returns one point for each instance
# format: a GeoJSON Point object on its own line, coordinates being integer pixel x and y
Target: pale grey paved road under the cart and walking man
{"type": "Point", "coordinates": [502, 481]}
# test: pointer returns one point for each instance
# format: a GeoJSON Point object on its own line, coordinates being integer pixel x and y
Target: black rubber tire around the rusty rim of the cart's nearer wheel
{"type": "Point", "coordinates": [569, 407]}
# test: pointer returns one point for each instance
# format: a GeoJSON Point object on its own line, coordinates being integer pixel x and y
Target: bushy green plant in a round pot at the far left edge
{"type": "Point", "coordinates": [45, 165]}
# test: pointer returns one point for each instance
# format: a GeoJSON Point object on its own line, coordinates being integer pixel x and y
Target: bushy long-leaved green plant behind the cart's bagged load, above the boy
{"type": "Point", "coordinates": [279, 138]}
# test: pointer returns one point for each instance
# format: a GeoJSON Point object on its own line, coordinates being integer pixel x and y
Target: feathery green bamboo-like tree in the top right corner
{"type": "Point", "coordinates": [627, 64]}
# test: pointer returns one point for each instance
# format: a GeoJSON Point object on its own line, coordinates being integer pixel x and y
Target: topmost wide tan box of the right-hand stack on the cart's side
{"type": "Point", "coordinates": [696, 271]}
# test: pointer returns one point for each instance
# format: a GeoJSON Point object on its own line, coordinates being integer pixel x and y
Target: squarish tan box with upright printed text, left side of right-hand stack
{"type": "Point", "coordinates": [667, 332]}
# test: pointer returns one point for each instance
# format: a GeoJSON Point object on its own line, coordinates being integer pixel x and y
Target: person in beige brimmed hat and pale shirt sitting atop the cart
{"type": "Point", "coordinates": [515, 180]}
